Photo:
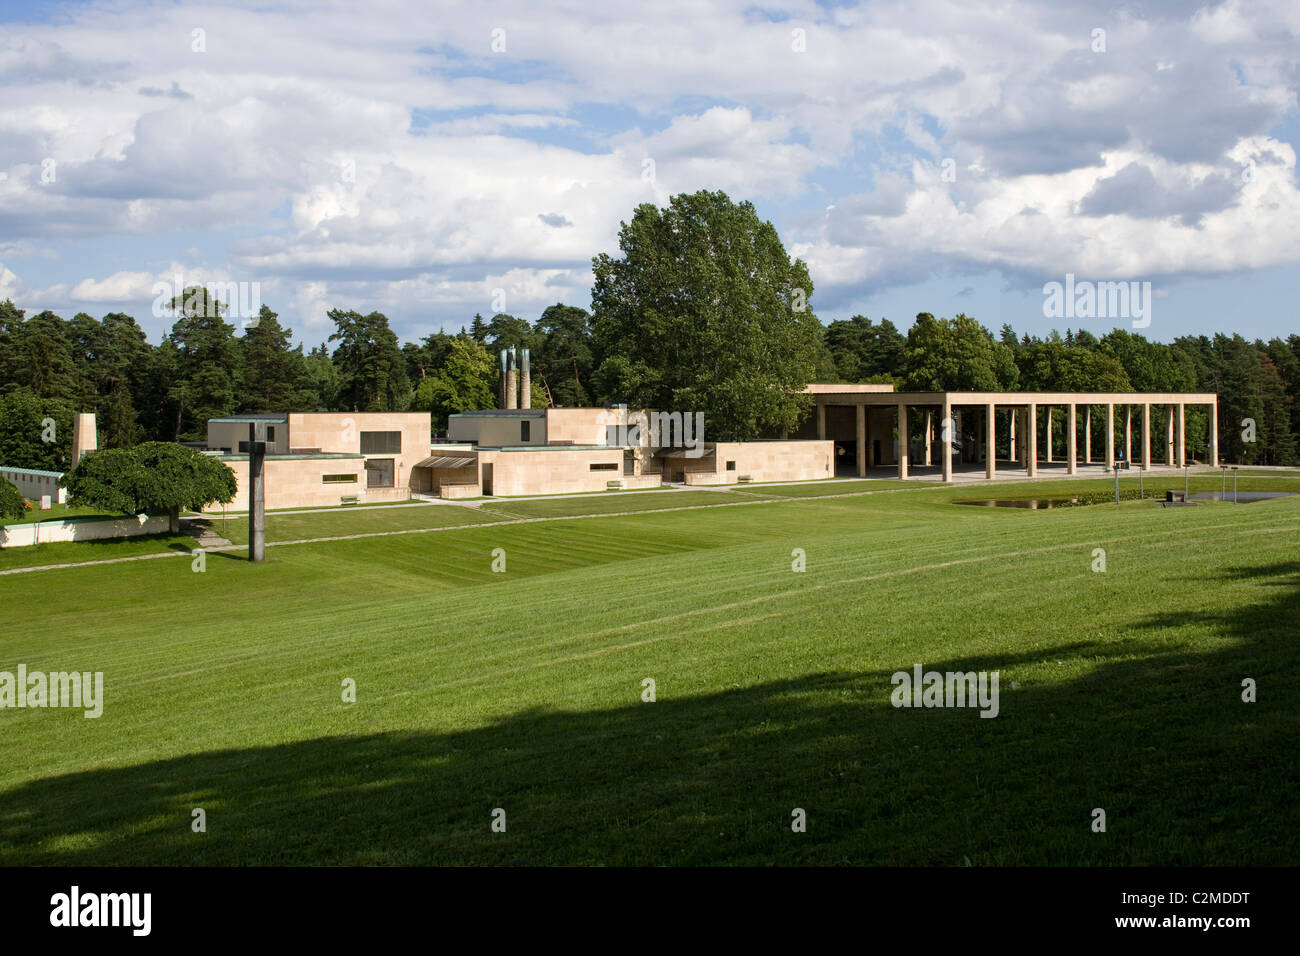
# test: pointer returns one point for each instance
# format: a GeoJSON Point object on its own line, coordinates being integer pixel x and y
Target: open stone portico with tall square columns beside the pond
{"type": "Point", "coordinates": [947, 434]}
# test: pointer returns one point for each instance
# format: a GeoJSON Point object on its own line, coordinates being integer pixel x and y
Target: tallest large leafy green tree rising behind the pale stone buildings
{"type": "Point", "coordinates": [707, 313]}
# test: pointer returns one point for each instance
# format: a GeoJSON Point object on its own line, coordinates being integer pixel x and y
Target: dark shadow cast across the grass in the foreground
{"type": "Point", "coordinates": [1189, 775]}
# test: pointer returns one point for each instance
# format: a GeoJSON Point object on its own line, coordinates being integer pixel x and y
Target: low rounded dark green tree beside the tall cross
{"type": "Point", "coordinates": [155, 477]}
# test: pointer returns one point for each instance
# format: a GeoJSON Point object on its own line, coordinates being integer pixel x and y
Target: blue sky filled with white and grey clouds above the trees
{"type": "Point", "coordinates": [434, 161]}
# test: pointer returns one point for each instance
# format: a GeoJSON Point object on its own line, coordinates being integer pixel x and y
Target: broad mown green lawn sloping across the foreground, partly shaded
{"type": "Point", "coordinates": [523, 690]}
